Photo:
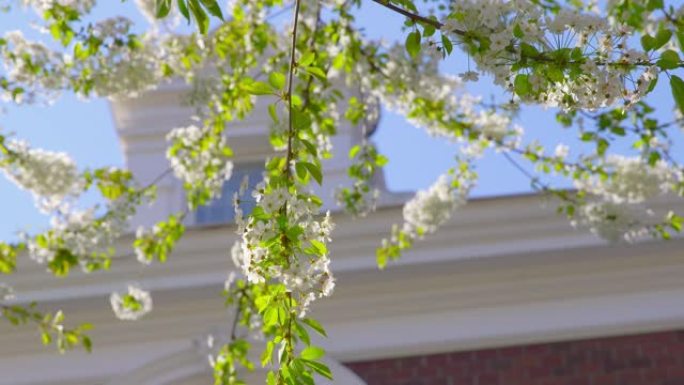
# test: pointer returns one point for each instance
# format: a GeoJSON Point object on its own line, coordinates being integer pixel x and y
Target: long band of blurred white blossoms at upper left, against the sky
{"type": "Point", "coordinates": [119, 65]}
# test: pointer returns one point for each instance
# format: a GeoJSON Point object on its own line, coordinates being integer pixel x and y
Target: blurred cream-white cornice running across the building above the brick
{"type": "Point", "coordinates": [504, 271]}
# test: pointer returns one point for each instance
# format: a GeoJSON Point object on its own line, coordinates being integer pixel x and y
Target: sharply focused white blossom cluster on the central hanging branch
{"type": "Point", "coordinates": [305, 272]}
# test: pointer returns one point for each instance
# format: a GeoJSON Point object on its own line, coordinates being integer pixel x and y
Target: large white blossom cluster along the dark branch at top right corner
{"type": "Point", "coordinates": [572, 59]}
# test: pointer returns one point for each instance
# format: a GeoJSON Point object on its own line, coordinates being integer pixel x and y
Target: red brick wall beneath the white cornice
{"type": "Point", "coordinates": [646, 359]}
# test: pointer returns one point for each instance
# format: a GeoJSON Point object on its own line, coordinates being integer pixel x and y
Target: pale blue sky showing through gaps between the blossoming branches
{"type": "Point", "coordinates": [85, 130]}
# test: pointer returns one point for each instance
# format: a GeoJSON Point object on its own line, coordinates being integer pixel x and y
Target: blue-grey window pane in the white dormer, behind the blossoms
{"type": "Point", "coordinates": [221, 210]}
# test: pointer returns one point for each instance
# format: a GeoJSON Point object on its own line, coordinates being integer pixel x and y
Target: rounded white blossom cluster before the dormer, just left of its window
{"type": "Point", "coordinates": [200, 157]}
